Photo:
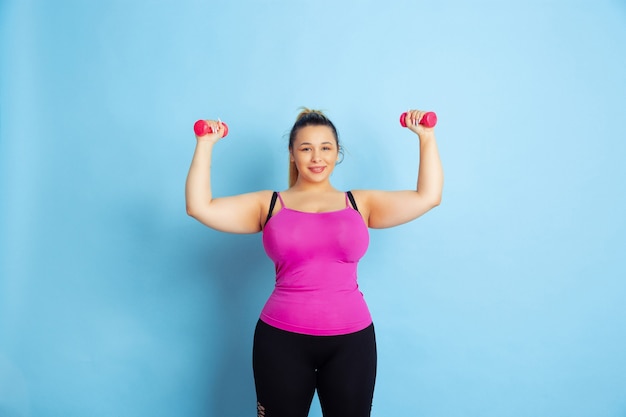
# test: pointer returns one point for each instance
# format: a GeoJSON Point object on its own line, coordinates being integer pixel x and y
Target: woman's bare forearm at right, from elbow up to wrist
{"type": "Point", "coordinates": [430, 173]}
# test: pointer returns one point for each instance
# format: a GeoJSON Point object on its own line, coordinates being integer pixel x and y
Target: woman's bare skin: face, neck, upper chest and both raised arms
{"type": "Point", "coordinates": [315, 154]}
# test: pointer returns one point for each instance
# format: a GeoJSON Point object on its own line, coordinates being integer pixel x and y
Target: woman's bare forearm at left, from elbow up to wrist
{"type": "Point", "coordinates": [198, 186]}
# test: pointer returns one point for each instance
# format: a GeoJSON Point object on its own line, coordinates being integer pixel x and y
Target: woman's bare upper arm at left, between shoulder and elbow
{"type": "Point", "coordinates": [241, 213]}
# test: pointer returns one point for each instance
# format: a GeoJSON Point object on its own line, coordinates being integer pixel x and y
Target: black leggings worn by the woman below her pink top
{"type": "Point", "coordinates": [289, 367]}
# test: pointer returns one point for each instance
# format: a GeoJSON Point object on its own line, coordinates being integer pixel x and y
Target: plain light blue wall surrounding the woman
{"type": "Point", "coordinates": [507, 300]}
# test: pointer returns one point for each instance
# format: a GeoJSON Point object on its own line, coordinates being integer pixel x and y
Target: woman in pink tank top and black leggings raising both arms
{"type": "Point", "coordinates": [315, 331]}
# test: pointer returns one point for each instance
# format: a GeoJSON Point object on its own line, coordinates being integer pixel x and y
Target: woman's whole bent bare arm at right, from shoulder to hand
{"type": "Point", "coordinates": [391, 208]}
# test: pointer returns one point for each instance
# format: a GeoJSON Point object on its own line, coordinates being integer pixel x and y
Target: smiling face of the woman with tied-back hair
{"type": "Point", "coordinates": [315, 153]}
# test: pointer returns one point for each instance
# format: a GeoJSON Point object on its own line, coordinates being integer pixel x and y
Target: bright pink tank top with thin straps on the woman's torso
{"type": "Point", "coordinates": [316, 257]}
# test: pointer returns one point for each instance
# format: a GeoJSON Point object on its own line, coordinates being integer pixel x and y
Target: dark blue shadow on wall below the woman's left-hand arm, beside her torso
{"type": "Point", "coordinates": [241, 278]}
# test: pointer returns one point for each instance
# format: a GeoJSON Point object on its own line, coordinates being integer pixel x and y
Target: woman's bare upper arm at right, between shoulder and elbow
{"type": "Point", "coordinates": [382, 209]}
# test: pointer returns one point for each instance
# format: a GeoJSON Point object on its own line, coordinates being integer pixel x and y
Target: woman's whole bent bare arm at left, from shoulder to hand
{"type": "Point", "coordinates": [237, 214]}
